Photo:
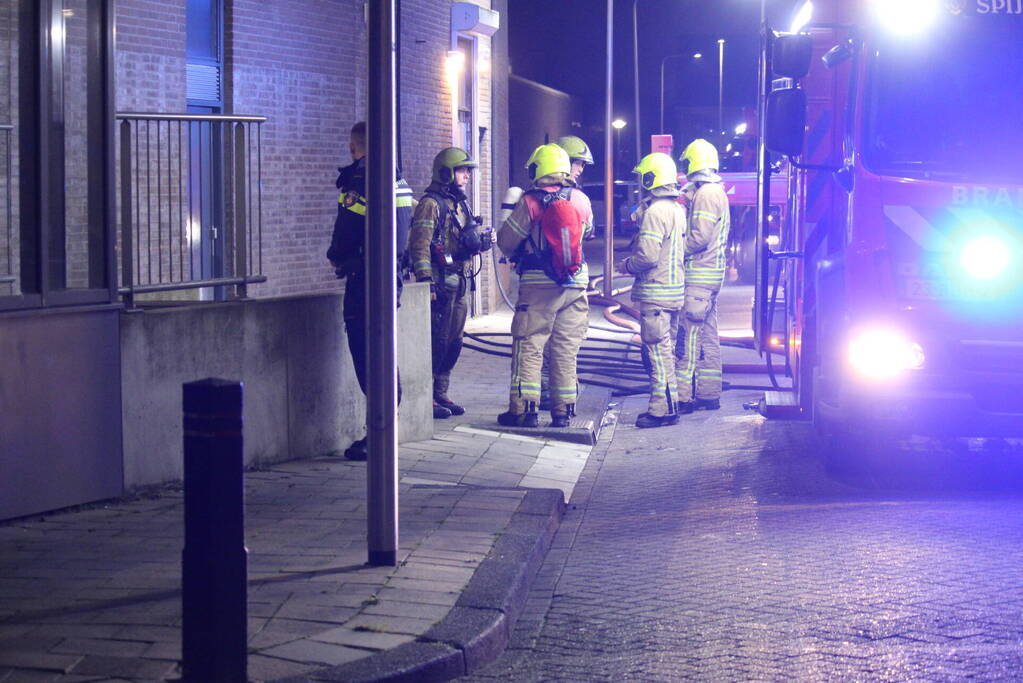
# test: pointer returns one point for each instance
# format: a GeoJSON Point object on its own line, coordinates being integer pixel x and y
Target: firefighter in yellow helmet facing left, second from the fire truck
{"type": "Point", "coordinates": [657, 263]}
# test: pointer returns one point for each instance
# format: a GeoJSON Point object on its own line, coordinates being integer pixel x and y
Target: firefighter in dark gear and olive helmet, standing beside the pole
{"type": "Point", "coordinates": [444, 240]}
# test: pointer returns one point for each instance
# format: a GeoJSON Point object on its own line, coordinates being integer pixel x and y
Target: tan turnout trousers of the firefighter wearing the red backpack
{"type": "Point", "coordinates": [547, 312]}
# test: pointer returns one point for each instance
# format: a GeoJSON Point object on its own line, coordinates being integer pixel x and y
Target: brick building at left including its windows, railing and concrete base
{"type": "Point", "coordinates": [91, 387]}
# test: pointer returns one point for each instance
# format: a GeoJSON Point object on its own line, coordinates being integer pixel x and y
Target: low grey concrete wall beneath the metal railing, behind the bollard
{"type": "Point", "coordinates": [301, 395]}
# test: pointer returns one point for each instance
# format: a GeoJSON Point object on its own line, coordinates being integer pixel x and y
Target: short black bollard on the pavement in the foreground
{"type": "Point", "coordinates": [214, 628]}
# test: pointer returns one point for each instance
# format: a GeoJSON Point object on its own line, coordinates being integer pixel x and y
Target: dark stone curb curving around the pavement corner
{"type": "Point", "coordinates": [477, 629]}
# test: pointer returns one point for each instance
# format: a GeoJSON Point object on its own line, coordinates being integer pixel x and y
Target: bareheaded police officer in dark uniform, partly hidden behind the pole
{"type": "Point", "coordinates": [347, 255]}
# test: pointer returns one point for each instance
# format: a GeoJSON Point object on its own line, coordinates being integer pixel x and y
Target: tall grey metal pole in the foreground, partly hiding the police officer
{"type": "Point", "coordinates": [382, 396]}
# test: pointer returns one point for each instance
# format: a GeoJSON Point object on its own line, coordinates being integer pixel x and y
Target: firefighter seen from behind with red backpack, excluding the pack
{"type": "Point", "coordinates": [546, 310]}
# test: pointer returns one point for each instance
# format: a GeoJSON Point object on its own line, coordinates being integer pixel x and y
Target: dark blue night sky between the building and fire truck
{"type": "Point", "coordinates": [561, 43]}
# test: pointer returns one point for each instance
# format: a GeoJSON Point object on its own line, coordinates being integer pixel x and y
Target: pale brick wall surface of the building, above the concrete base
{"type": "Point", "coordinates": [303, 66]}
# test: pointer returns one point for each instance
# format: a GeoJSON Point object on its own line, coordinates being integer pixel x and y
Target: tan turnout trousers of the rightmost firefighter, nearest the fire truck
{"type": "Point", "coordinates": [699, 349]}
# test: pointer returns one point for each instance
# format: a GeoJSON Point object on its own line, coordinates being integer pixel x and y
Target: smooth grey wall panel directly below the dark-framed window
{"type": "Point", "coordinates": [60, 411]}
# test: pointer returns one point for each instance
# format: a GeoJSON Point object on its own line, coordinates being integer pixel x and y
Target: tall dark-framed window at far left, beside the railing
{"type": "Point", "coordinates": [57, 154]}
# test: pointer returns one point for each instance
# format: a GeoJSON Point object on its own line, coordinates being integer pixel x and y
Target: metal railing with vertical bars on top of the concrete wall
{"type": "Point", "coordinates": [192, 203]}
